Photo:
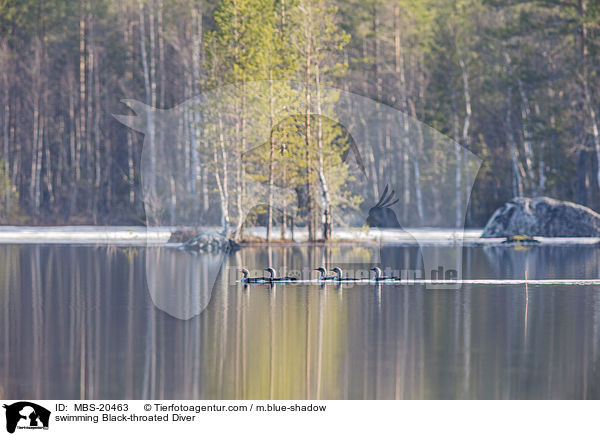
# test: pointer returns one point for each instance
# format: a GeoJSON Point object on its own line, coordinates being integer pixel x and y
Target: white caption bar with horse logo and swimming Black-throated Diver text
{"type": "Point", "coordinates": [22, 417]}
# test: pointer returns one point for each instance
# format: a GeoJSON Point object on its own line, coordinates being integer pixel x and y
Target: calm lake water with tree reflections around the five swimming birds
{"type": "Point", "coordinates": [80, 322]}
